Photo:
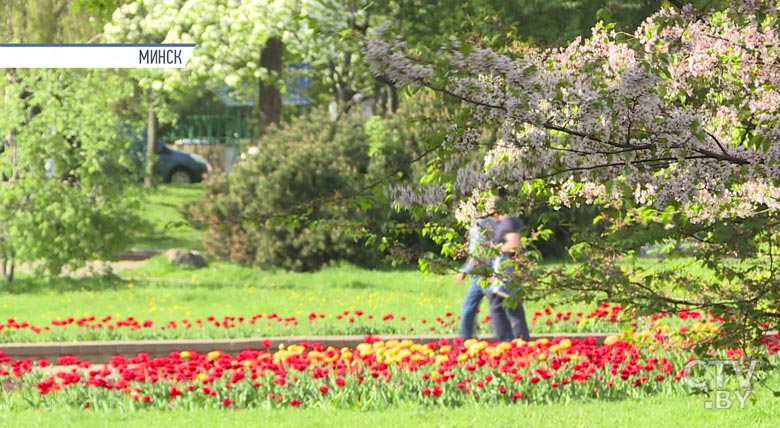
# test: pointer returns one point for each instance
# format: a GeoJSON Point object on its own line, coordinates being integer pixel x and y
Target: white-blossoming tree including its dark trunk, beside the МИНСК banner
{"type": "Point", "coordinates": [238, 43]}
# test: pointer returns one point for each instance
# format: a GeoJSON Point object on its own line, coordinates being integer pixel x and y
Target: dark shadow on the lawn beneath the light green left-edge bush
{"type": "Point", "coordinates": [35, 285]}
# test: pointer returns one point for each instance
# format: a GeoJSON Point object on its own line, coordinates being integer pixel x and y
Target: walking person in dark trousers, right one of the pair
{"type": "Point", "coordinates": [508, 323]}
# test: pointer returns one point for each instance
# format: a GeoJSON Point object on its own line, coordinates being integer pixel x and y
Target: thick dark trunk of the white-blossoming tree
{"type": "Point", "coordinates": [270, 101]}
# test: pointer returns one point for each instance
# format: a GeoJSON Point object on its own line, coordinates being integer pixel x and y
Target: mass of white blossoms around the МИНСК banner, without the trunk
{"type": "Point", "coordinates": [229, 36]}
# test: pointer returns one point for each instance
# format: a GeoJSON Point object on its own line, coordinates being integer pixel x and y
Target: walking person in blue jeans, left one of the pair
{"type": "Point", "coordinates": [480, 235]}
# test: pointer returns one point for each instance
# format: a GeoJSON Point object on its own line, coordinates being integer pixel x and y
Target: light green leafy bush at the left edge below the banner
{"type": "Point", "coordinates": [84, 206]}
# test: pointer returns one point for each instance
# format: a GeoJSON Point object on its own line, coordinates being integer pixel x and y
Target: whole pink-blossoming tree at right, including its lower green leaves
{"type": "Point", "coordinates": [672, 131]}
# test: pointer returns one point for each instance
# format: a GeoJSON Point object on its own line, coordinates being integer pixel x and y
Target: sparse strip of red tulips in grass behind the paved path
{"type": "Point", "coordinates": [605, 318]}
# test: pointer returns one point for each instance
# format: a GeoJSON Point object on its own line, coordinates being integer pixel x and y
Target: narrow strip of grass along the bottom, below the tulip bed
{"type": "Point", "coordinates": [674, 411]}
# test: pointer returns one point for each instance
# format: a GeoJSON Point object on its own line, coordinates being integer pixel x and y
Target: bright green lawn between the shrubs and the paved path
{"type": "Point", "coordinates": [161, 293]}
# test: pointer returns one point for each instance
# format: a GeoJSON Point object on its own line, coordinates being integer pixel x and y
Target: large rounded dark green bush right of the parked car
{"type": "Point", "coordinates": [311, 195]}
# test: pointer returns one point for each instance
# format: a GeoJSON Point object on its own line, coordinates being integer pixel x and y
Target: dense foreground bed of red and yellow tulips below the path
{"type": "Point", "coordinates": [374, 374]}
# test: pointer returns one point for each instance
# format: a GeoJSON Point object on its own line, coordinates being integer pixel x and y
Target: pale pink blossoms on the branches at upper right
{"type": "Point", "coordinates": [686, 111]}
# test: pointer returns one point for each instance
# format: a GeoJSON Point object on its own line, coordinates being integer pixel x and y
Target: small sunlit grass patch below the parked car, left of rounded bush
{"type": "Point", "coordinates": [166, 227]}
